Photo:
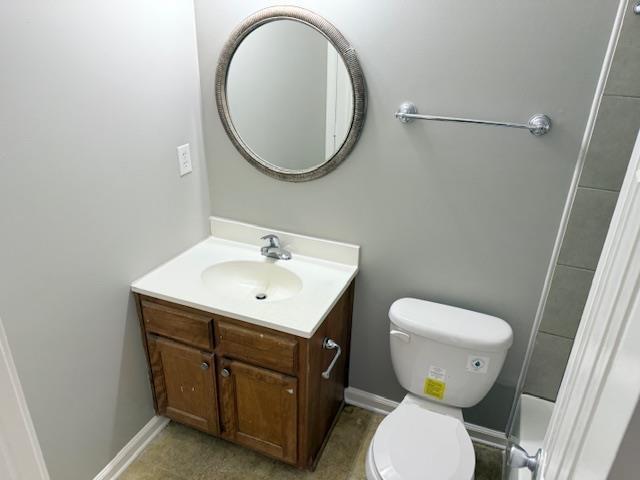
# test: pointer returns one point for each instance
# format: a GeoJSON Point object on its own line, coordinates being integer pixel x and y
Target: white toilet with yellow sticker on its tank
{"type": "Point", "coordinates": [448, 358]}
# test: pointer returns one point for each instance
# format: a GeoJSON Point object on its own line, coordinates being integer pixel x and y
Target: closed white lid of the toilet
{"type": "Point", "coordinates": [413, 443]}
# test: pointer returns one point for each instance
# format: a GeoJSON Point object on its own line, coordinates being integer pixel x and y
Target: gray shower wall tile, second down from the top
{"type": "Point", "coordinates": [612, 142]}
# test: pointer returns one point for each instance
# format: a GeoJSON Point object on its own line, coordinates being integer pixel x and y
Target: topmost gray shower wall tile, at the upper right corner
{"type": "Point", "coordinates": [625, 70]}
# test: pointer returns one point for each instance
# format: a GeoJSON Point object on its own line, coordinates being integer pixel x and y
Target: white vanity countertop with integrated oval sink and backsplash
{"type": "Point", "coordinates": [225, 272]}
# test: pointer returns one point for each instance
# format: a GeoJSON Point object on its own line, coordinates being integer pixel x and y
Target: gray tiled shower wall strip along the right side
{"type": "Point", "coordinates": [614, 135]}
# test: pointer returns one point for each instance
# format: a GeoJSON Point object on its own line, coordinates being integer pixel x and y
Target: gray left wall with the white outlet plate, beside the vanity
{"type": "Point", "coordinates": [95, 98]}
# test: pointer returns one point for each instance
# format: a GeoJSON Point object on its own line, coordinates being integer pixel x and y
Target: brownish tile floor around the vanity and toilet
{"type": "Point", "coordinates": [181, 453]}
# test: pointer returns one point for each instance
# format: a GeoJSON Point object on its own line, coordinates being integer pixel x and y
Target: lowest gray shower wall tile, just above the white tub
{"type": "Point", "coordinates": [549, 361]}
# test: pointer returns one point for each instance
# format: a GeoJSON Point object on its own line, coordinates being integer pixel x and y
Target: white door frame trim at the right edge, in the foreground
{"type": "Point", "coordinates": [601, 387]}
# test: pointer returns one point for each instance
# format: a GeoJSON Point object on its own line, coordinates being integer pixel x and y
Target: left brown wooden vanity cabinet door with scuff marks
{"type": "Point", "coordinates": [184, 383]}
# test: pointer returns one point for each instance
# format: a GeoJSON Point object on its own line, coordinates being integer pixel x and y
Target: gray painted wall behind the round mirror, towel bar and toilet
{"type": "Point", "coordinates": [464, 215]}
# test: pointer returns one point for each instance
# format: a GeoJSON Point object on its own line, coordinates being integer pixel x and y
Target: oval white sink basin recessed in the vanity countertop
{"type": "Point", "coordinates": [252, 280]}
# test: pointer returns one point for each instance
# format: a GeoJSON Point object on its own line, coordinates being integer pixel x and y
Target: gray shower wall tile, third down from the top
{"type": "Point", "coordinates": [588, 224]}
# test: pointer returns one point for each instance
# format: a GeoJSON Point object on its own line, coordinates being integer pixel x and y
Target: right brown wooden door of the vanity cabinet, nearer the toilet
{"type": "Point", "coordinates": [259, 408]}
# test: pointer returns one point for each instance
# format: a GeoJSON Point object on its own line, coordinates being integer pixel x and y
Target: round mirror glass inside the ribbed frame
{"type": "Point", "coordinates": [289, 95]}
